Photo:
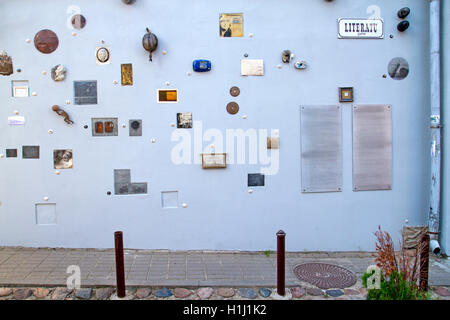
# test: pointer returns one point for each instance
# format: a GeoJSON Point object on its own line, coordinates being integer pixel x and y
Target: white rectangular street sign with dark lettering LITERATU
{"type": "Point", "coordinates": [360, 29]}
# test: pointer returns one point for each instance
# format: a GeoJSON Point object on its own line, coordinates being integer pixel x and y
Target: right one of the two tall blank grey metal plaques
{"type": "Point", "coordinates": [372, 147]}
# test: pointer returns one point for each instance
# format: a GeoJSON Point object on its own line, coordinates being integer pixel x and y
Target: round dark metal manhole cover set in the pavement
{"type": "Point", "coordinates": [325, 276]}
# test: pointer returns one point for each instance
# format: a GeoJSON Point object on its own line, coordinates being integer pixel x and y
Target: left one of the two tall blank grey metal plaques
{"type": "Point", "coordinates": [321, 148]}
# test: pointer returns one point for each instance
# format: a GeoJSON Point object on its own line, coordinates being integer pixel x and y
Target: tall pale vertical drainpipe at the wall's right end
{"type": "Point", "coordinates": [435, 100]}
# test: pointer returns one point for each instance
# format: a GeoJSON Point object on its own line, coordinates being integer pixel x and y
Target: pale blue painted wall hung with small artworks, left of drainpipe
{"type": "Point", "coordinates": [220, 213]}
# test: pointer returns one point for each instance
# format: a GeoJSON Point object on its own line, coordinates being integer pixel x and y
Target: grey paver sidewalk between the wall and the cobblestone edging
{"type": "Point", "coordinates": [47, 267]}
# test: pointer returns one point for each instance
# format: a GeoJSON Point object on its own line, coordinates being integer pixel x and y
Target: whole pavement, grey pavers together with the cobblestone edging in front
{"type": "Point", "coordinates": [214, 275]}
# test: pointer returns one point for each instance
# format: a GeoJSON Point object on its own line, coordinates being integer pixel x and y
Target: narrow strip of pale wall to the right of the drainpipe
{"type": "Point", "coordinates": [445, 114]}
